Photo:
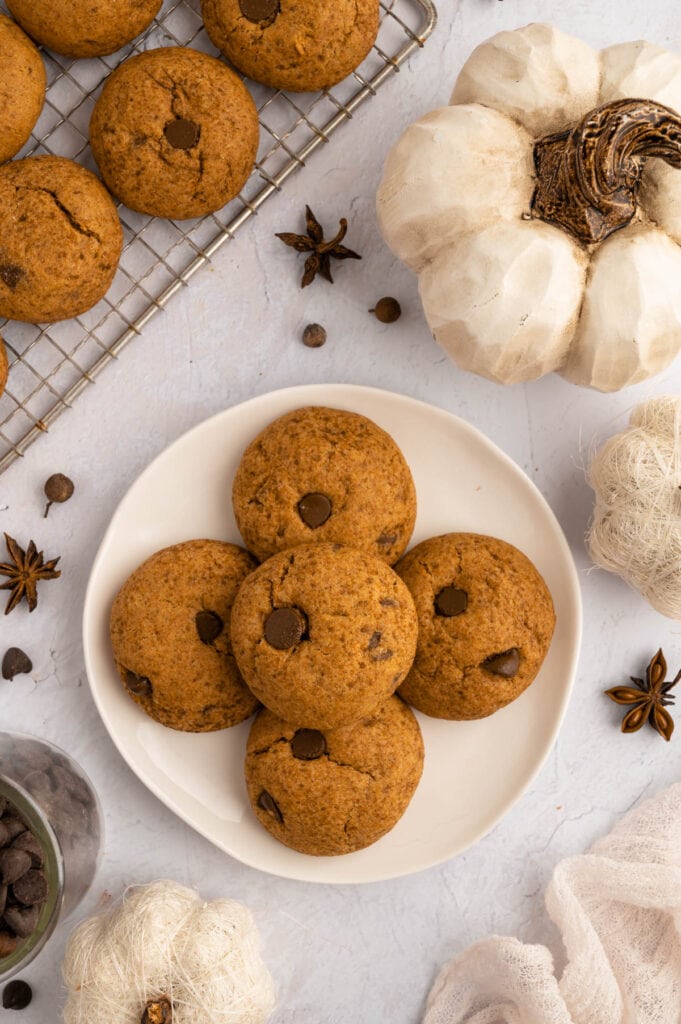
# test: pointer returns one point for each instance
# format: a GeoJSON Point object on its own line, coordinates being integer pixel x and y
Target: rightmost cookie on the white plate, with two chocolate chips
{"type": "Point", "coordinates": [486, 622]}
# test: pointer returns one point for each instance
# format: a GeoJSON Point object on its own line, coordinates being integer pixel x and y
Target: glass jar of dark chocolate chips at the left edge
{"type": "Point", "coordinates": [51, 838]}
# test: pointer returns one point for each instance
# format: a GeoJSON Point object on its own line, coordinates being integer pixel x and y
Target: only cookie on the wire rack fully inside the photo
{"type": "Point", "coordinates": [175, 134]}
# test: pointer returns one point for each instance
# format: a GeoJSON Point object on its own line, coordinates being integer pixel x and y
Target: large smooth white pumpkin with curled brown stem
{"type": "Point", "coordinates": [510, 293]}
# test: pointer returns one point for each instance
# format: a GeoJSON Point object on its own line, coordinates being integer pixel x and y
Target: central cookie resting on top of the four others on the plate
{"type": "Point", "coordinates": [324, 634]}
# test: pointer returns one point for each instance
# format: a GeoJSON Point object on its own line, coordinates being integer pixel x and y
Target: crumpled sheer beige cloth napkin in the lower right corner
{"type": "Point", "coordinates": [619, 911]}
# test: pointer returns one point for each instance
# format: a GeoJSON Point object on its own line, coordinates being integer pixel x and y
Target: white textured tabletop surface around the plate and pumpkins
{"type": "Point", "coordinates": [360, 955]}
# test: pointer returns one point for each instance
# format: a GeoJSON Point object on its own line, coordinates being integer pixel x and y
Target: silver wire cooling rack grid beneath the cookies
{"type": "Point", "coordinates": [50, 366]}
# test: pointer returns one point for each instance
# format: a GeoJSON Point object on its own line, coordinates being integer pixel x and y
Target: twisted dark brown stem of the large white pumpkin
{"type": "Point", "coordinates": [588, 178]}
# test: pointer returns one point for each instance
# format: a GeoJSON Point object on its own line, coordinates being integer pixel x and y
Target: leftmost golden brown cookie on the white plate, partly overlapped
{"type": "Point", "coordinates": [171, 634]}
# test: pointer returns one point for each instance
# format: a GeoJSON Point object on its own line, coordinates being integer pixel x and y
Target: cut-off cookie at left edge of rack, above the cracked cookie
{"type": "Point", "coordinates": [22, 88]}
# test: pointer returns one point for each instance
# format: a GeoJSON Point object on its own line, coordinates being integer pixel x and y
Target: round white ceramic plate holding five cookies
{"type": "Point", "coordinates": [475, 772]}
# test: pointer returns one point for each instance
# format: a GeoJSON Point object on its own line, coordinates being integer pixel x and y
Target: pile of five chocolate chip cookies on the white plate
{"type": "Point", "coordinates": [326, 634]}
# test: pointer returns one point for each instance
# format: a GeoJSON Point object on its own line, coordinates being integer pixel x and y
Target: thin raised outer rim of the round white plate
{"type": "Point", "coordinates": [573, 596]}
